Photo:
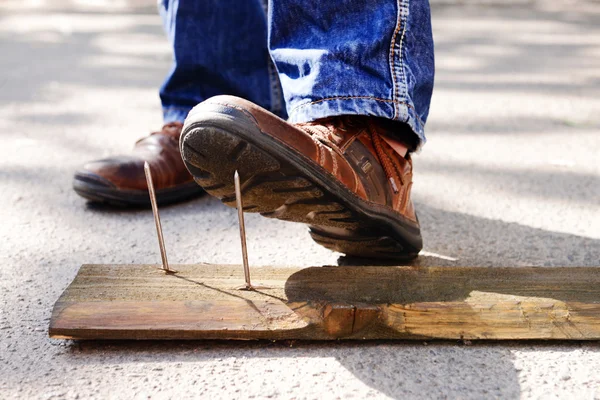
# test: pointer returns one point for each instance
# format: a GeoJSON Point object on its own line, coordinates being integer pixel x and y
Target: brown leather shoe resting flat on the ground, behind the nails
{"type": "Point", "coordinates": [121, 180]}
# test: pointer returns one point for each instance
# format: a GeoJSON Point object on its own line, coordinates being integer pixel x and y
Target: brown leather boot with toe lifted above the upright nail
{"type": "Point", "coordinates": [338, 175]}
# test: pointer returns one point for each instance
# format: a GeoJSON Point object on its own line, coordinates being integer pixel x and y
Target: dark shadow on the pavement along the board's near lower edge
{"type": "Point", "coordinates": [396, 369]}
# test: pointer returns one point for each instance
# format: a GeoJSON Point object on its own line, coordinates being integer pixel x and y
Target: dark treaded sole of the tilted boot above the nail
{"type": "Point", "coordinates": [278, 182]}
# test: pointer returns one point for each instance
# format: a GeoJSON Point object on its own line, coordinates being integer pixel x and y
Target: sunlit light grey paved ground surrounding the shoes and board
{"type": "Point", "coordinates": [510, 176]}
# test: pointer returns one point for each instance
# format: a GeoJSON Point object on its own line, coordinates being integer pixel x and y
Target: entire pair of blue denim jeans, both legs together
{"type": "Point", "coordinates": [303, 60]}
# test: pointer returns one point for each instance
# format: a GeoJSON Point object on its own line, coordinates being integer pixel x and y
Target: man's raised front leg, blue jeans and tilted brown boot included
{"type": "Point", "coordinates": [357, 76]}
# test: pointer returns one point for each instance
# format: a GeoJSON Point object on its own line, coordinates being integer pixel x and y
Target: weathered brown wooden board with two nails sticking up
{"type": "Point", "coordinates": [202, 302]}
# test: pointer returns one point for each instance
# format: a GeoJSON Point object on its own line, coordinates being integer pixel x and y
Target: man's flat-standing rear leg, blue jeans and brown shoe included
{"type": "Point", "coordinates": [220, 47]}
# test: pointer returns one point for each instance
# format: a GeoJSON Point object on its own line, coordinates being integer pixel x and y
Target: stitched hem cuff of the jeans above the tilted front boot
{"type": "Point", "coordinates": [354, 105]}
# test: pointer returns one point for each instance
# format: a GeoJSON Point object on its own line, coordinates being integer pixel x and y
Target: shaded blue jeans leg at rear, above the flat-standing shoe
{"type": "Point", "coordinates": [220, 47]}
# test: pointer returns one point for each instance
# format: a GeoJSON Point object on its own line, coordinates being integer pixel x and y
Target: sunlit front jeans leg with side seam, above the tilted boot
{"type": "Point", "coordinates": [365, 57]}
